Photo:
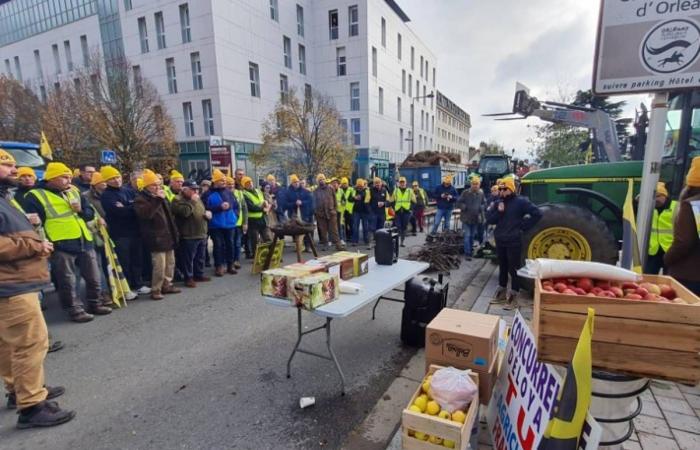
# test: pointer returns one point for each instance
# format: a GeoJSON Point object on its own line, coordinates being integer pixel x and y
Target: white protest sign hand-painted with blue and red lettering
{"type": "Point", "coordinates": [524, 397]}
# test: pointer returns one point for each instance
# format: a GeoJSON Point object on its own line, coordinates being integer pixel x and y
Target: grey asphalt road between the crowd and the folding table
{"type": "Point", "coordinates": [206, 370]}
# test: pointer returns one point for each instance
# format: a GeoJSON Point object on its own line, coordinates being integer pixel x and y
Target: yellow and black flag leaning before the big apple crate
{"type": "Point", "coordinates": [565, 428]}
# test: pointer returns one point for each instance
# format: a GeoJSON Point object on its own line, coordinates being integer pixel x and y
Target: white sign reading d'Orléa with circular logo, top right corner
{"type": "Point", "coordinates": [647, 46]}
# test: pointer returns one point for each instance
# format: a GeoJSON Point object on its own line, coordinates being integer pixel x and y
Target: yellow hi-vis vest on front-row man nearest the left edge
{"type": "Point", "coordinates": [62, 223]}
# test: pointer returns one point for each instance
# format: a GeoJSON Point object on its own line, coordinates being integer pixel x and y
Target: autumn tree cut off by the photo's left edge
{"type": "Point", "coordinates": [19, 112]}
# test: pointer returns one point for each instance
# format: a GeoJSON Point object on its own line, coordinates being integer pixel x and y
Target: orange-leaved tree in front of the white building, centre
{"type": "Point", "coordinates": [305, 136]}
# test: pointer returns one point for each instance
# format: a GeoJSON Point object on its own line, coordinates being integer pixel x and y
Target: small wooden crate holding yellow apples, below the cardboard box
{"type": "Point", "coordinates": [435, 426]}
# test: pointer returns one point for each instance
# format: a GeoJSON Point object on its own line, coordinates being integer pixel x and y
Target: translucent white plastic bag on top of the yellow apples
{"type": "Point", "coordinates": [453, 389]}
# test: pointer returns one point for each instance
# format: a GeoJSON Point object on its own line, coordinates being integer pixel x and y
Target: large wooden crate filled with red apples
{"type": "Point", "coordinates": [642, 338]}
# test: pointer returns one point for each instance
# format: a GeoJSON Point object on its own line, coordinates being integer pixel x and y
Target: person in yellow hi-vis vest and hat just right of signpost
{"type": "Point", "coordinates": [661, 233]}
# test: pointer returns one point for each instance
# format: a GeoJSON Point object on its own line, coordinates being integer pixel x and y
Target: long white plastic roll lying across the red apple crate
{"type": "Point", "coordinates": [555, 268]}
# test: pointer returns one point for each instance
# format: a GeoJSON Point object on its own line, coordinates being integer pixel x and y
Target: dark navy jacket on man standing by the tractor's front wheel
{"type": "Point", "coordinates": [520, 215]}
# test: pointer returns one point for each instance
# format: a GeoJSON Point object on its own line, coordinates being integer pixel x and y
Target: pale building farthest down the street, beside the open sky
{"type": "Point", "coordinates": [452, 128]}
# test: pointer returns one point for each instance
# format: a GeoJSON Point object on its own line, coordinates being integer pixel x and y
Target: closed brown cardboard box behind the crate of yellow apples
{"type": "Point", "coordinates": [462, 339]}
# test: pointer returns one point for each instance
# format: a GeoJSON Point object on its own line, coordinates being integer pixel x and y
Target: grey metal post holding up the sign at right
{"type": "Point", "coordinates": [652, 168]}
